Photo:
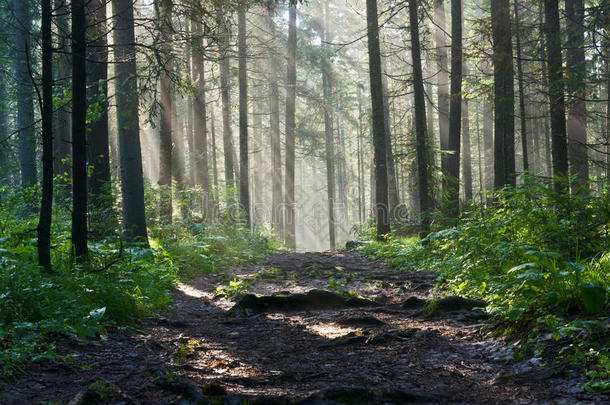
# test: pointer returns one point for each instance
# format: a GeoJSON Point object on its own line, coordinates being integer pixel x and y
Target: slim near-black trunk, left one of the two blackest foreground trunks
{"type": "Point", "coordinates": [46, 202]}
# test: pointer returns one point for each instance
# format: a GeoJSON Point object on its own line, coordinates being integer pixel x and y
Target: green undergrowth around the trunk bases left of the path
{"type": "Point", "coordinates": [117, 286]}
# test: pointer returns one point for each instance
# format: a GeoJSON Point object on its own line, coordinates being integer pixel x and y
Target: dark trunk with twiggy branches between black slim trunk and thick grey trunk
{"type": "Point", "coordinates": [97, 139]}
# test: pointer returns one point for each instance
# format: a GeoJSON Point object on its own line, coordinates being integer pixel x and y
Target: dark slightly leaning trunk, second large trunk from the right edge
{"type": "Point", "coordinates": [556, 94]}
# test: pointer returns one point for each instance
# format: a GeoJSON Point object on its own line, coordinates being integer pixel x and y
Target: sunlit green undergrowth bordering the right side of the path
{"type": "Point", "coordinates": [541, 260]}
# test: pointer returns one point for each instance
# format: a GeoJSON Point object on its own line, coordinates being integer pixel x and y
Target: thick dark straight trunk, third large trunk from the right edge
{"type": "Point", "coordinates": [504, 97]}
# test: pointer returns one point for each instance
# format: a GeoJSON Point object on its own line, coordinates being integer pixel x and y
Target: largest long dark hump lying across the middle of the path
{"type": "Point", "coordinates": [312, 300]}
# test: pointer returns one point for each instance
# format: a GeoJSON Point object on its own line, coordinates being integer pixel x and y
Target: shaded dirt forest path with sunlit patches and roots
{"type": "Point", "coordinates": [384, 353]}
